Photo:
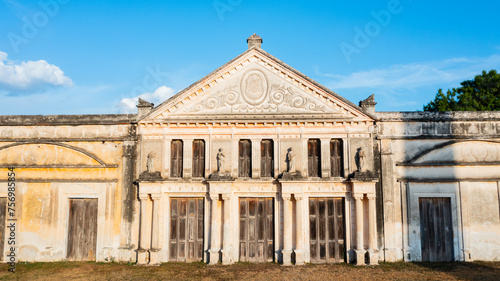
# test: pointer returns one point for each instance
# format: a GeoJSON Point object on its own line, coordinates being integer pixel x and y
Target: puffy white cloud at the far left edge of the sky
{"type": "Point", "coordinates": [30, 75]}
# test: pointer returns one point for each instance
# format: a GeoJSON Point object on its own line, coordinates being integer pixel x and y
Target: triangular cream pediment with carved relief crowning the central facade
{"type": "Point", "coordinates": [255, 85]}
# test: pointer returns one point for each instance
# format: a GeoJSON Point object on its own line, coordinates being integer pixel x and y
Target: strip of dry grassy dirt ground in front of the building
{"type": "Point", "coordinates": [245, 271]}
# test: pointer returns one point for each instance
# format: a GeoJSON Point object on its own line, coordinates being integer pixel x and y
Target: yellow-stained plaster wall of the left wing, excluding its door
{"type": "Point", "coordinates": [63, 157]}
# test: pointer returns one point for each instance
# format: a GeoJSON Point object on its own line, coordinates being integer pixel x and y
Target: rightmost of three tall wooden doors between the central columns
{"type": "Point", "coordinates": [326, 229]}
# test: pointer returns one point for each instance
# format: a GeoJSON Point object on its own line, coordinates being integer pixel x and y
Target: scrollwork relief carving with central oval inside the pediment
{"type": "Point", "coordinates": [254, 95]}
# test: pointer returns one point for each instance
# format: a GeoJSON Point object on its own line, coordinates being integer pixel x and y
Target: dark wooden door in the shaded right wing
{"type": "Point", "coordinates": [436, 230]}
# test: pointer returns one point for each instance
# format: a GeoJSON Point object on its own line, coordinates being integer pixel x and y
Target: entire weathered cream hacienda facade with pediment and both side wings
{"type": "Point", "coordinates": [255, 162]}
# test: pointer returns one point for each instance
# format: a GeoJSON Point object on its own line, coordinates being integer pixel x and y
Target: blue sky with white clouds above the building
{"type": "Point", "coordinates": [86, 57]}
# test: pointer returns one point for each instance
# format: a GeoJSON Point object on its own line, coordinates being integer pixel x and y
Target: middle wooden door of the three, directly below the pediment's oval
{"type": "Point", "coordinates": [256, 229]}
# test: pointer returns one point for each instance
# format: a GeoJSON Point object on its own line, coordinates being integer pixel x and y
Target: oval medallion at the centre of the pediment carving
{"type": "Point", "coordinates": [254, 87]}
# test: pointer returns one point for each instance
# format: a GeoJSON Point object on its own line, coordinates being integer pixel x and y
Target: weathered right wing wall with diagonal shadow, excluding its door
{"type": "Point", "coordinates": [455, 155]}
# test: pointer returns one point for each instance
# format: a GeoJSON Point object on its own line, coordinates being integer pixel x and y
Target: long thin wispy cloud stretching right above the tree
{"type": "Point", "coordinates": [415, 75]}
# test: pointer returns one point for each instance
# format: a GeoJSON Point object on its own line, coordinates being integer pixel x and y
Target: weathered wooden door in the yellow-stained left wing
{"type": "Point", "coordinates": [82, 229]}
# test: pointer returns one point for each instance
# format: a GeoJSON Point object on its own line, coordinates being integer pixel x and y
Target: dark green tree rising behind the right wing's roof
{"type": "Point", "coordinates": [480, 94]}
